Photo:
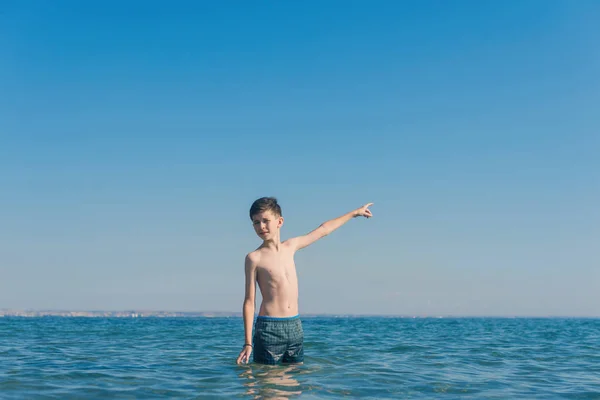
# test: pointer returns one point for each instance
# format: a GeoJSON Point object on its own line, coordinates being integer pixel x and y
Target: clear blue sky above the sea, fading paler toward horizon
{"type": "Point", "coordinates": [135, 135]}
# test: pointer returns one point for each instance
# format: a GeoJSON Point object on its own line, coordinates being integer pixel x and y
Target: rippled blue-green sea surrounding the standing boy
{"type": "Point", "coordinates": [347, 357]}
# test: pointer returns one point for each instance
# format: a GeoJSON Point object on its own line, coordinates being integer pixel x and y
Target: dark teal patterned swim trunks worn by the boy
{"type": "Point", "coordinates": [278, 340]}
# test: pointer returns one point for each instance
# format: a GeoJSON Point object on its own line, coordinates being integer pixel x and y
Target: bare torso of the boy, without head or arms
{"type": "Point", "coordinates": [278, 282]}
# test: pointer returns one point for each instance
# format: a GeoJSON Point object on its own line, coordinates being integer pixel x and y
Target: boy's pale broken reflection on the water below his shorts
{"type": "Point", "coordinates": [271, 381]}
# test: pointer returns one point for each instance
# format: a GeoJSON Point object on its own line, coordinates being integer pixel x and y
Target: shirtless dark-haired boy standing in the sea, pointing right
{"type": "Point", "coordinates": [278, 335]}
